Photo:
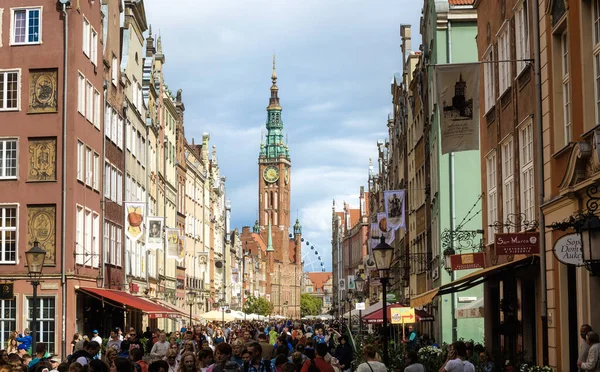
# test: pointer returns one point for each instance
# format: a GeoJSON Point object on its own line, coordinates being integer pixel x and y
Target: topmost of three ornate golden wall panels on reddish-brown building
{"type": "Point", "coordinates": [43, 91]}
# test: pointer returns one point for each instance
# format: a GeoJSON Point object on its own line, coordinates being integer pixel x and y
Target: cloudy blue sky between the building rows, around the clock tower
{"type": "Point", "coordinates": [335, 63]}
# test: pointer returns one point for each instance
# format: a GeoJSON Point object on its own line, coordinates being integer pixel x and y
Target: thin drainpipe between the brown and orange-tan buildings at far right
{"type": "Point", "coordinates": [540, 176]}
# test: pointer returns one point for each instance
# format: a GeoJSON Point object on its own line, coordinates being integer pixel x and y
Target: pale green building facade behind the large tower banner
{"type": "Point", "coordinates": [449, 33]}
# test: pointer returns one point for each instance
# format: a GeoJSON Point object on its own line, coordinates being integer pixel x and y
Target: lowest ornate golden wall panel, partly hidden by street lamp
{"type": "Point", "coordinates": [41, 227]}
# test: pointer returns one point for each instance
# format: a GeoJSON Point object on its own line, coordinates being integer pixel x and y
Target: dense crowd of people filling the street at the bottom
{"type": "Point", "coordinates": [229, 347]}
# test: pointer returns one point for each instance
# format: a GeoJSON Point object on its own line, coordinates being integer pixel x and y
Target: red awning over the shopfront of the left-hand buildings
{"type": "Point", "coordinates": [132, 302]}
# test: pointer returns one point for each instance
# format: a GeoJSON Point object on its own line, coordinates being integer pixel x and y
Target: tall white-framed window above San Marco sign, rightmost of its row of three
{"type": "Point", "coordinates": [527, 180]}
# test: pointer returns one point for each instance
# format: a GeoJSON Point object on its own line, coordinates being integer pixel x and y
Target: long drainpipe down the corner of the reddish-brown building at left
{"type": "Point", "coordinates": [63, 238]}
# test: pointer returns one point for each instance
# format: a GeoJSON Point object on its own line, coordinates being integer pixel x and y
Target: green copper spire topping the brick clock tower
{"type": "Point", "coordinates": [273, 147]}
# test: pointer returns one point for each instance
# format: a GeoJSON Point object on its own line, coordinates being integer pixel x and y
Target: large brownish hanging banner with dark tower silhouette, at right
{"type": "Point", "coordinates": [458, 98]}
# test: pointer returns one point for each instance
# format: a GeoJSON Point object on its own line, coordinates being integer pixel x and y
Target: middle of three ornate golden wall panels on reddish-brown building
{"type": "Point", "coordinates": [42, 160]}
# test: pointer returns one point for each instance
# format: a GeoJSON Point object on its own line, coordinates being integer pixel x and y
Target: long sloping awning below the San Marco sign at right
{"type": "Point", "coordinates": [470, 280]}
